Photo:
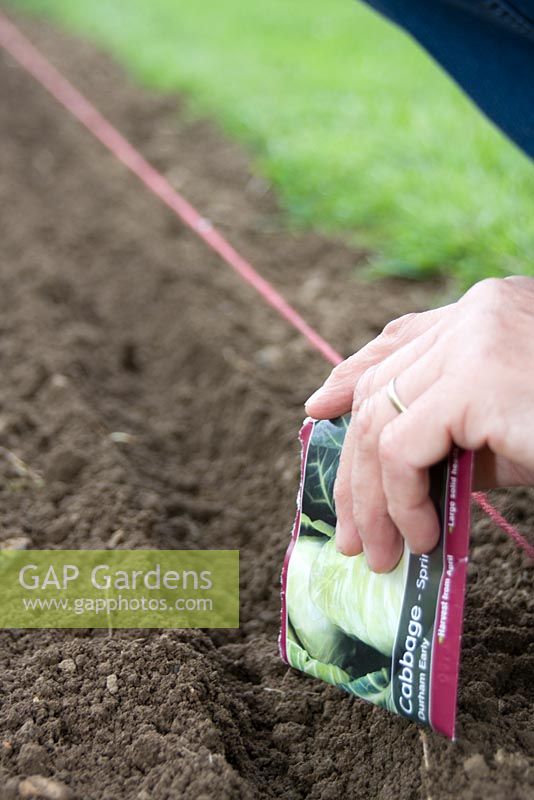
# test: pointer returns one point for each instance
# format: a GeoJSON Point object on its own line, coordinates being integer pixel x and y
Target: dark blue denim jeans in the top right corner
{"type": "Point", "coordinates": [487, 46]}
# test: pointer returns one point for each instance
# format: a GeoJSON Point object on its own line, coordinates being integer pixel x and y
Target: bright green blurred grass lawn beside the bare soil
{"type": "Point", "coordinates": [355, 127]}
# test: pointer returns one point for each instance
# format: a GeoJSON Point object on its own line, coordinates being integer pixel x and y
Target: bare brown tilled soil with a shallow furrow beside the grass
{"type": "Point", "coordinates": [114, 318]}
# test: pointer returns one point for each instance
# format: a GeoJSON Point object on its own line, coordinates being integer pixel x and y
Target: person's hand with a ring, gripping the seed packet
{"type": "Point", "coordinates": [466, 374]}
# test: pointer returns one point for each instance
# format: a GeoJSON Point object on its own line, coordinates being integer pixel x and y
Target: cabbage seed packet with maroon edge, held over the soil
{"type": "Point", "coordinates": [392, 639]}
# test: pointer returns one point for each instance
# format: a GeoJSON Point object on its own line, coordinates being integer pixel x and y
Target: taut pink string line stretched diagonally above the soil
{"type": "Point", "coordinates": [27, 55]}
